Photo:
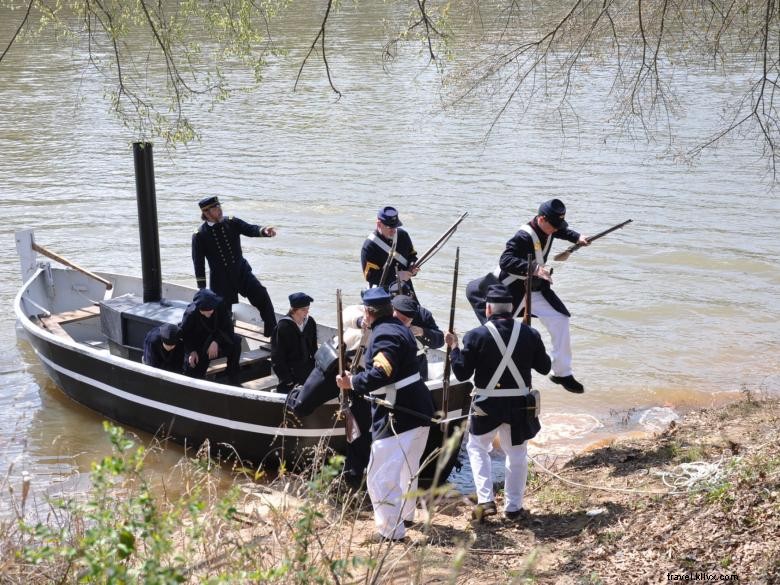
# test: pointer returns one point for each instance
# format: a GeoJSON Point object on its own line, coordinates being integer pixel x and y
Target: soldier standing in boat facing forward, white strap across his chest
{"type": "Point", "coordinates": [377, 246]}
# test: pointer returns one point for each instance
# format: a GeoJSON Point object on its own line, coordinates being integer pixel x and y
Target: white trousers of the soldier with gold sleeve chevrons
{"type": "Point", "coordinates": [391, 475]}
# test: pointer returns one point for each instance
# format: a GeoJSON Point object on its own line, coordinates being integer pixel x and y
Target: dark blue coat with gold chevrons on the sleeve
{"type": "Point", "coordinates": [391, 356]}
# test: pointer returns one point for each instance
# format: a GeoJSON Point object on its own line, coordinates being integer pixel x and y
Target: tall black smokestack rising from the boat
{"type": "Point", "coordinates": [147, 221]}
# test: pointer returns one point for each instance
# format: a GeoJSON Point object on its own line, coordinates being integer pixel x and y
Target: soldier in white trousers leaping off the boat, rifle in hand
{"type": "Point", "coordinates": [536, 238]}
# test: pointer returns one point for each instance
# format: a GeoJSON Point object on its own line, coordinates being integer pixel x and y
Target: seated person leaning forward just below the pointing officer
{"type": "Point", "coordinates": [207, 334]}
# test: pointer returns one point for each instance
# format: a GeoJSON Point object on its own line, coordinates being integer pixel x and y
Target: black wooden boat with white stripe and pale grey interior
{"type": "Point", "coordinates": [90, 338]}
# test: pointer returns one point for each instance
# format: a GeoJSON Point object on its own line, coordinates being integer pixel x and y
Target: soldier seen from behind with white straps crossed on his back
{"type": "Point", "coordinates": [500, 355]}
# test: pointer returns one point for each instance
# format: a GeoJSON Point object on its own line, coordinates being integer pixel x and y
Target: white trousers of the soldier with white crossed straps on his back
{"type": "Point", "coordinates": [516, 463]}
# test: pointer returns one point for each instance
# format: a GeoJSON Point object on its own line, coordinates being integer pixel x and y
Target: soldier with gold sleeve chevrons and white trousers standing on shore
{"type": "Point", "coordinates": [399, 438]}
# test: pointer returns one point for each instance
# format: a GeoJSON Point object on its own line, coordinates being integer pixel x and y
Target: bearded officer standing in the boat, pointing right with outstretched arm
{"type": "Point", "coordinates": [218, 240]}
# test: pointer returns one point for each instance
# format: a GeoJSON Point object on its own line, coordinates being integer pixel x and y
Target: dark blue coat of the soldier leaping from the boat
{"type": "Point", "coordinates": [514, 260]}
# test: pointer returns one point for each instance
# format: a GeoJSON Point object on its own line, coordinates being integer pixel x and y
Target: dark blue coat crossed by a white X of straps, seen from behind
{"type": "Point", "coordinates": [480, 357]}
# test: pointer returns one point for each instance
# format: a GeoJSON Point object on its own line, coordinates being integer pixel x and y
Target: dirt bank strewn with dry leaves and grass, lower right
{"type": "Point", "coordinates": [603, 519]}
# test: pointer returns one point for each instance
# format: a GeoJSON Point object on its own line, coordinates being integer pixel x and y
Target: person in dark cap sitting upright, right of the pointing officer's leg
{"type": "Point", "coordinates": [294, 344]}
